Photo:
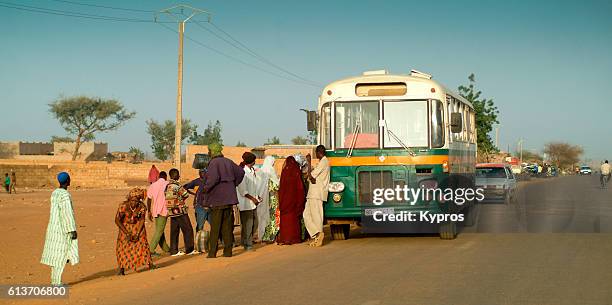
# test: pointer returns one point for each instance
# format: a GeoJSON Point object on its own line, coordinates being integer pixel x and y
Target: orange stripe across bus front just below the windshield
{"type": "Point", "coordinates": [388, 160]}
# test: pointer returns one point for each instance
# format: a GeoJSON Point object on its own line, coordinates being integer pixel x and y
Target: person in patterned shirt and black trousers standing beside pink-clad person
{"type": "Point", "coordinates": [179, 218]}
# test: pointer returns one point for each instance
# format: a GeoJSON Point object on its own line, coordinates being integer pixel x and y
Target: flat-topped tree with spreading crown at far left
{"type": "Point", "coordinates": [83, 117]}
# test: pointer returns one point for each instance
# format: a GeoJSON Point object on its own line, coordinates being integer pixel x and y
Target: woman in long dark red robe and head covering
{"type": "Point", "coordinates": [291, 201]}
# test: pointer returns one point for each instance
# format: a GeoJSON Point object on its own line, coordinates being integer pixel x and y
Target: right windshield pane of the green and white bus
{"type": "Point", "coordinates": [408, 121]}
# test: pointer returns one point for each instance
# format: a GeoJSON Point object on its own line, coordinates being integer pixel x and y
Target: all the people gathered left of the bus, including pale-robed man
{"type": "Point", "coordinates": [267, 208]}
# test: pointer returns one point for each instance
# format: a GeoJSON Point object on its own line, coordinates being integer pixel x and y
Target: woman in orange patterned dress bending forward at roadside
{"type": "Point", "coordinates": [132, 245]}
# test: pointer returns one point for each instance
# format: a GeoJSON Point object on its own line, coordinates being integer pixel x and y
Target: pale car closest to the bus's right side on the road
{"type": "Point", "coordinates": [497, 181]}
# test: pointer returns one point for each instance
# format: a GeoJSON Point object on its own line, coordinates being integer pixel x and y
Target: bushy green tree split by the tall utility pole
{"type": "Point", "coordinates": [162, 136]}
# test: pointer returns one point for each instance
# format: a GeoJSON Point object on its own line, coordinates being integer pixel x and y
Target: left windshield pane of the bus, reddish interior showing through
{"type": "Point", "coordinates": [356, 122]}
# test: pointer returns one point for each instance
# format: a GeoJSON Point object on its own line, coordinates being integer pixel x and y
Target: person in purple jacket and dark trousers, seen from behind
{"type": "Point", "coordinates": [220, 189]}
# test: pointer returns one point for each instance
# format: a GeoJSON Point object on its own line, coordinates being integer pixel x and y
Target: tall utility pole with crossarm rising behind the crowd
{"type": "Point", "coordinates": [178, 14]}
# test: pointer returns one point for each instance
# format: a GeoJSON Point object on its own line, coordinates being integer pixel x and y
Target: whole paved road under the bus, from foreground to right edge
{"type": "Point", "coordinates": [541, 267]}
